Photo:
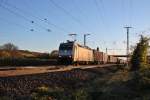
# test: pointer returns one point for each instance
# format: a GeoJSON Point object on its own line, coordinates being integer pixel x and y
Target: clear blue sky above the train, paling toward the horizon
{"type": "Point", "coordinates": [103, 19]}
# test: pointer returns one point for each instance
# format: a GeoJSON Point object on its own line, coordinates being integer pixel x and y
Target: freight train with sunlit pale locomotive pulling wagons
{"type": "Point", "coordinates": [74, 53]}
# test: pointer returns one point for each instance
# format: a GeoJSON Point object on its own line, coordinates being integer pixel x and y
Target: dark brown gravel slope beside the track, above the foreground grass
{"type": "Point", "coordinates": [23, 85]}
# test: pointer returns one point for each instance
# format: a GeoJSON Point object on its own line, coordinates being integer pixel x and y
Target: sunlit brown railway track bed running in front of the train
{"type": "Point", "coordinates": [17, 71]}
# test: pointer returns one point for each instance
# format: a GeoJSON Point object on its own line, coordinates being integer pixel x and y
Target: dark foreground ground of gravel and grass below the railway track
{"type": "Point", "coordinates": [100, 83]}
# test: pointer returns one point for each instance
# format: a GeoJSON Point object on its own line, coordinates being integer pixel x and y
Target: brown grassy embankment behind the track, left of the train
{"type": "Point", "coordinates": [25, 58]}
